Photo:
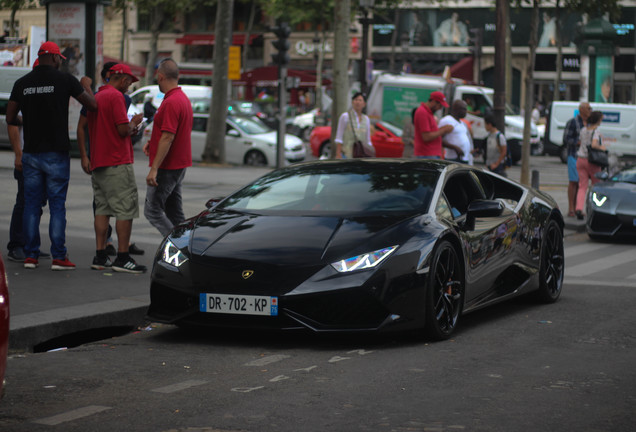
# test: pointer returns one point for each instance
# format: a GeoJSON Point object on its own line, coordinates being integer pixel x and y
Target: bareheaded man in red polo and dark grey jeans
{"type": "Point", "coordinates": [169, 150]}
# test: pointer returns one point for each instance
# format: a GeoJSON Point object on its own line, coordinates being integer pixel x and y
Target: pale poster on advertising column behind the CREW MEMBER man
{"type": "Point", "coordinates": [67, 28]}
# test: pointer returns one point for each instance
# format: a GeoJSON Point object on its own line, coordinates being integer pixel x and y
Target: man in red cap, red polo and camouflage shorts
{"type": "Point", "coordinates": [111, 163]}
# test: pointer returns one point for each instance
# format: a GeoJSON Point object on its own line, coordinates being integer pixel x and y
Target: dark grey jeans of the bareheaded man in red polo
{"type": "Point", "coordinates": [163, 206]}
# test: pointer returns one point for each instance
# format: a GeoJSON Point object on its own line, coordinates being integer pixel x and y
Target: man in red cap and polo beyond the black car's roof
{"type": "Point", "coordinates": [427, 143]}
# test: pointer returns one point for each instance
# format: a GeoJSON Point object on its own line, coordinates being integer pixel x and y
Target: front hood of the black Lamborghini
{"type": "Point", "coordinates": [289, 240]}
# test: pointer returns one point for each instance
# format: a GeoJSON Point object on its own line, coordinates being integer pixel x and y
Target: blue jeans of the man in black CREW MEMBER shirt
{"type": "Point", "coordinates": [46, 175]}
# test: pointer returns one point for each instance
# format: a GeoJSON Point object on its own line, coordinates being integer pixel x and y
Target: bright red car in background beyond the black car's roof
{"type": "Point", "coordinates": [385, 137]}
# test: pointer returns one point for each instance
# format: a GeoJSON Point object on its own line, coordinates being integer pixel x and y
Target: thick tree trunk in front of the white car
{"type": "Point", "coordinates": [215, 141]}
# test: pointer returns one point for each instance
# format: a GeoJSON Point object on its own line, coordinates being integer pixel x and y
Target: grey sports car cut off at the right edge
{"type": "Point", "coordinates": [611, 205]}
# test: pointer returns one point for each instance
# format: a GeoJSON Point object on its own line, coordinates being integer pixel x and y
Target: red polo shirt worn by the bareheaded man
{"type": "Point", "coordinates": [174, 116]}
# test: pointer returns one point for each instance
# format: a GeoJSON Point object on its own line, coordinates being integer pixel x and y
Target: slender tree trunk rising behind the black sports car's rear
{"type": "Point", "coordinates": [529, 102]}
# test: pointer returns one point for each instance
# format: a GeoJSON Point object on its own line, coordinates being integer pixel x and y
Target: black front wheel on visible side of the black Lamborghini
{"type": "Point", "coordinates": [445, 292]}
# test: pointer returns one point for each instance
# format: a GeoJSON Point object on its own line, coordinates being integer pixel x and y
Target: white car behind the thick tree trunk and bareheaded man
{"type": "Point", "coordinates": [248, 141]}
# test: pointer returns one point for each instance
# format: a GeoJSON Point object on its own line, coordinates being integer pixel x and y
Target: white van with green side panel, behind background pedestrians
{"type": "Point", "coordinates": [393, 97]}
